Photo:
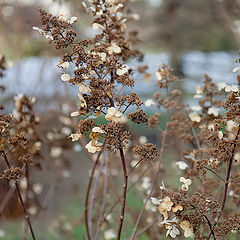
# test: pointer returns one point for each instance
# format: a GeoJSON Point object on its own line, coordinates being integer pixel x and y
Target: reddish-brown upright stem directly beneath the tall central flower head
{"type": "Point", "coordinates": [124, 195]}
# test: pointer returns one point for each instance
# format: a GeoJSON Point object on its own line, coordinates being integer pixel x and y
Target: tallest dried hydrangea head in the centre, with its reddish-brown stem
{"type": "Point", "coordinates": [101, 74]}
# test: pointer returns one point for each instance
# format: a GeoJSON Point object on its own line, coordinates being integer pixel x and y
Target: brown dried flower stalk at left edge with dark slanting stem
{"type": "Point", "coordinates": [13, 139]}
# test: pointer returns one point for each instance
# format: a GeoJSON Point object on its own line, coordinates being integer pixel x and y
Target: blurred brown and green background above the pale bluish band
{"type": "Point", "coordinates": [174, 26]}
